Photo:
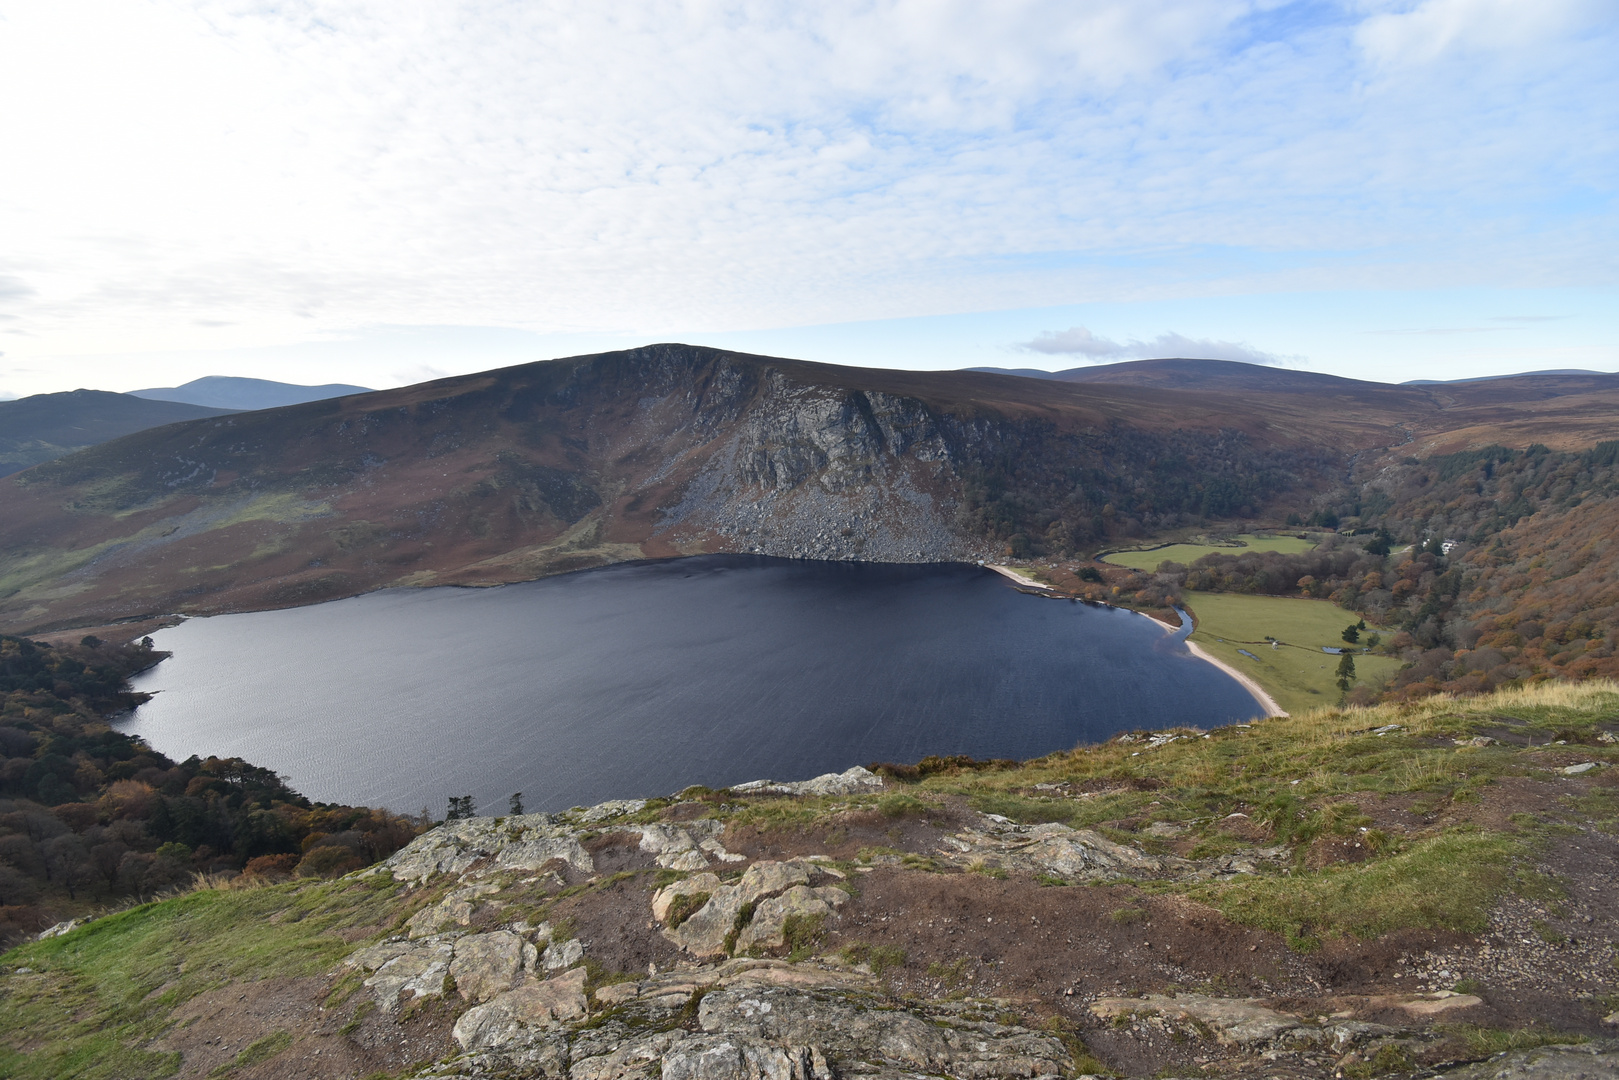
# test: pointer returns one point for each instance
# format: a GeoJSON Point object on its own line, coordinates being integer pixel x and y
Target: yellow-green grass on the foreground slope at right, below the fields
{"type": "Point", "coordinates": [1314, 778]}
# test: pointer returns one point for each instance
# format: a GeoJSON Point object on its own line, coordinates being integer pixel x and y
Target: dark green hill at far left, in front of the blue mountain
{"type": "Point", "coordinates": [46, 427]}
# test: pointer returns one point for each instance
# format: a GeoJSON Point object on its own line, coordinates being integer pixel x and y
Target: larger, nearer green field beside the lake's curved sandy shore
{"type": "Point", "coordinates": [1298, 678]}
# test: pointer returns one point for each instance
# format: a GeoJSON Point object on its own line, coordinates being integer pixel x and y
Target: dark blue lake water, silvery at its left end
{"type": "Point", "coordinates": [642, 679]}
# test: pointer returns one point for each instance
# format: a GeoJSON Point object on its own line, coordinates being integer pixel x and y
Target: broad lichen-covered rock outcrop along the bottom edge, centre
{"type": "Point", "coordinates": [759, 1021]}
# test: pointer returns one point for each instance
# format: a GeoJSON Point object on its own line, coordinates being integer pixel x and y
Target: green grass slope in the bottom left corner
{"type": "Point", "coordinates": [98, 995]}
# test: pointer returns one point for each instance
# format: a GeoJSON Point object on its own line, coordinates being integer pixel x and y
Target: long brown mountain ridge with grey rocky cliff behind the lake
{"type": "Point", "coordinates": [673, 449]}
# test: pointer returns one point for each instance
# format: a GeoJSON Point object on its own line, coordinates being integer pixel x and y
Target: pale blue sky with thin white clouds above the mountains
{"type": "Point", "coordinates": [389, 192]}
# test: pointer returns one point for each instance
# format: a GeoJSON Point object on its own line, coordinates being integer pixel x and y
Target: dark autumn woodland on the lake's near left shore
{"type": "Point", "coordinates": [95, 817]}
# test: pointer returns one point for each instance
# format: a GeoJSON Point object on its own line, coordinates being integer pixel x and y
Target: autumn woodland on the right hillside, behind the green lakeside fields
{"type": "Point", "coordinates": [1529, 590]}
